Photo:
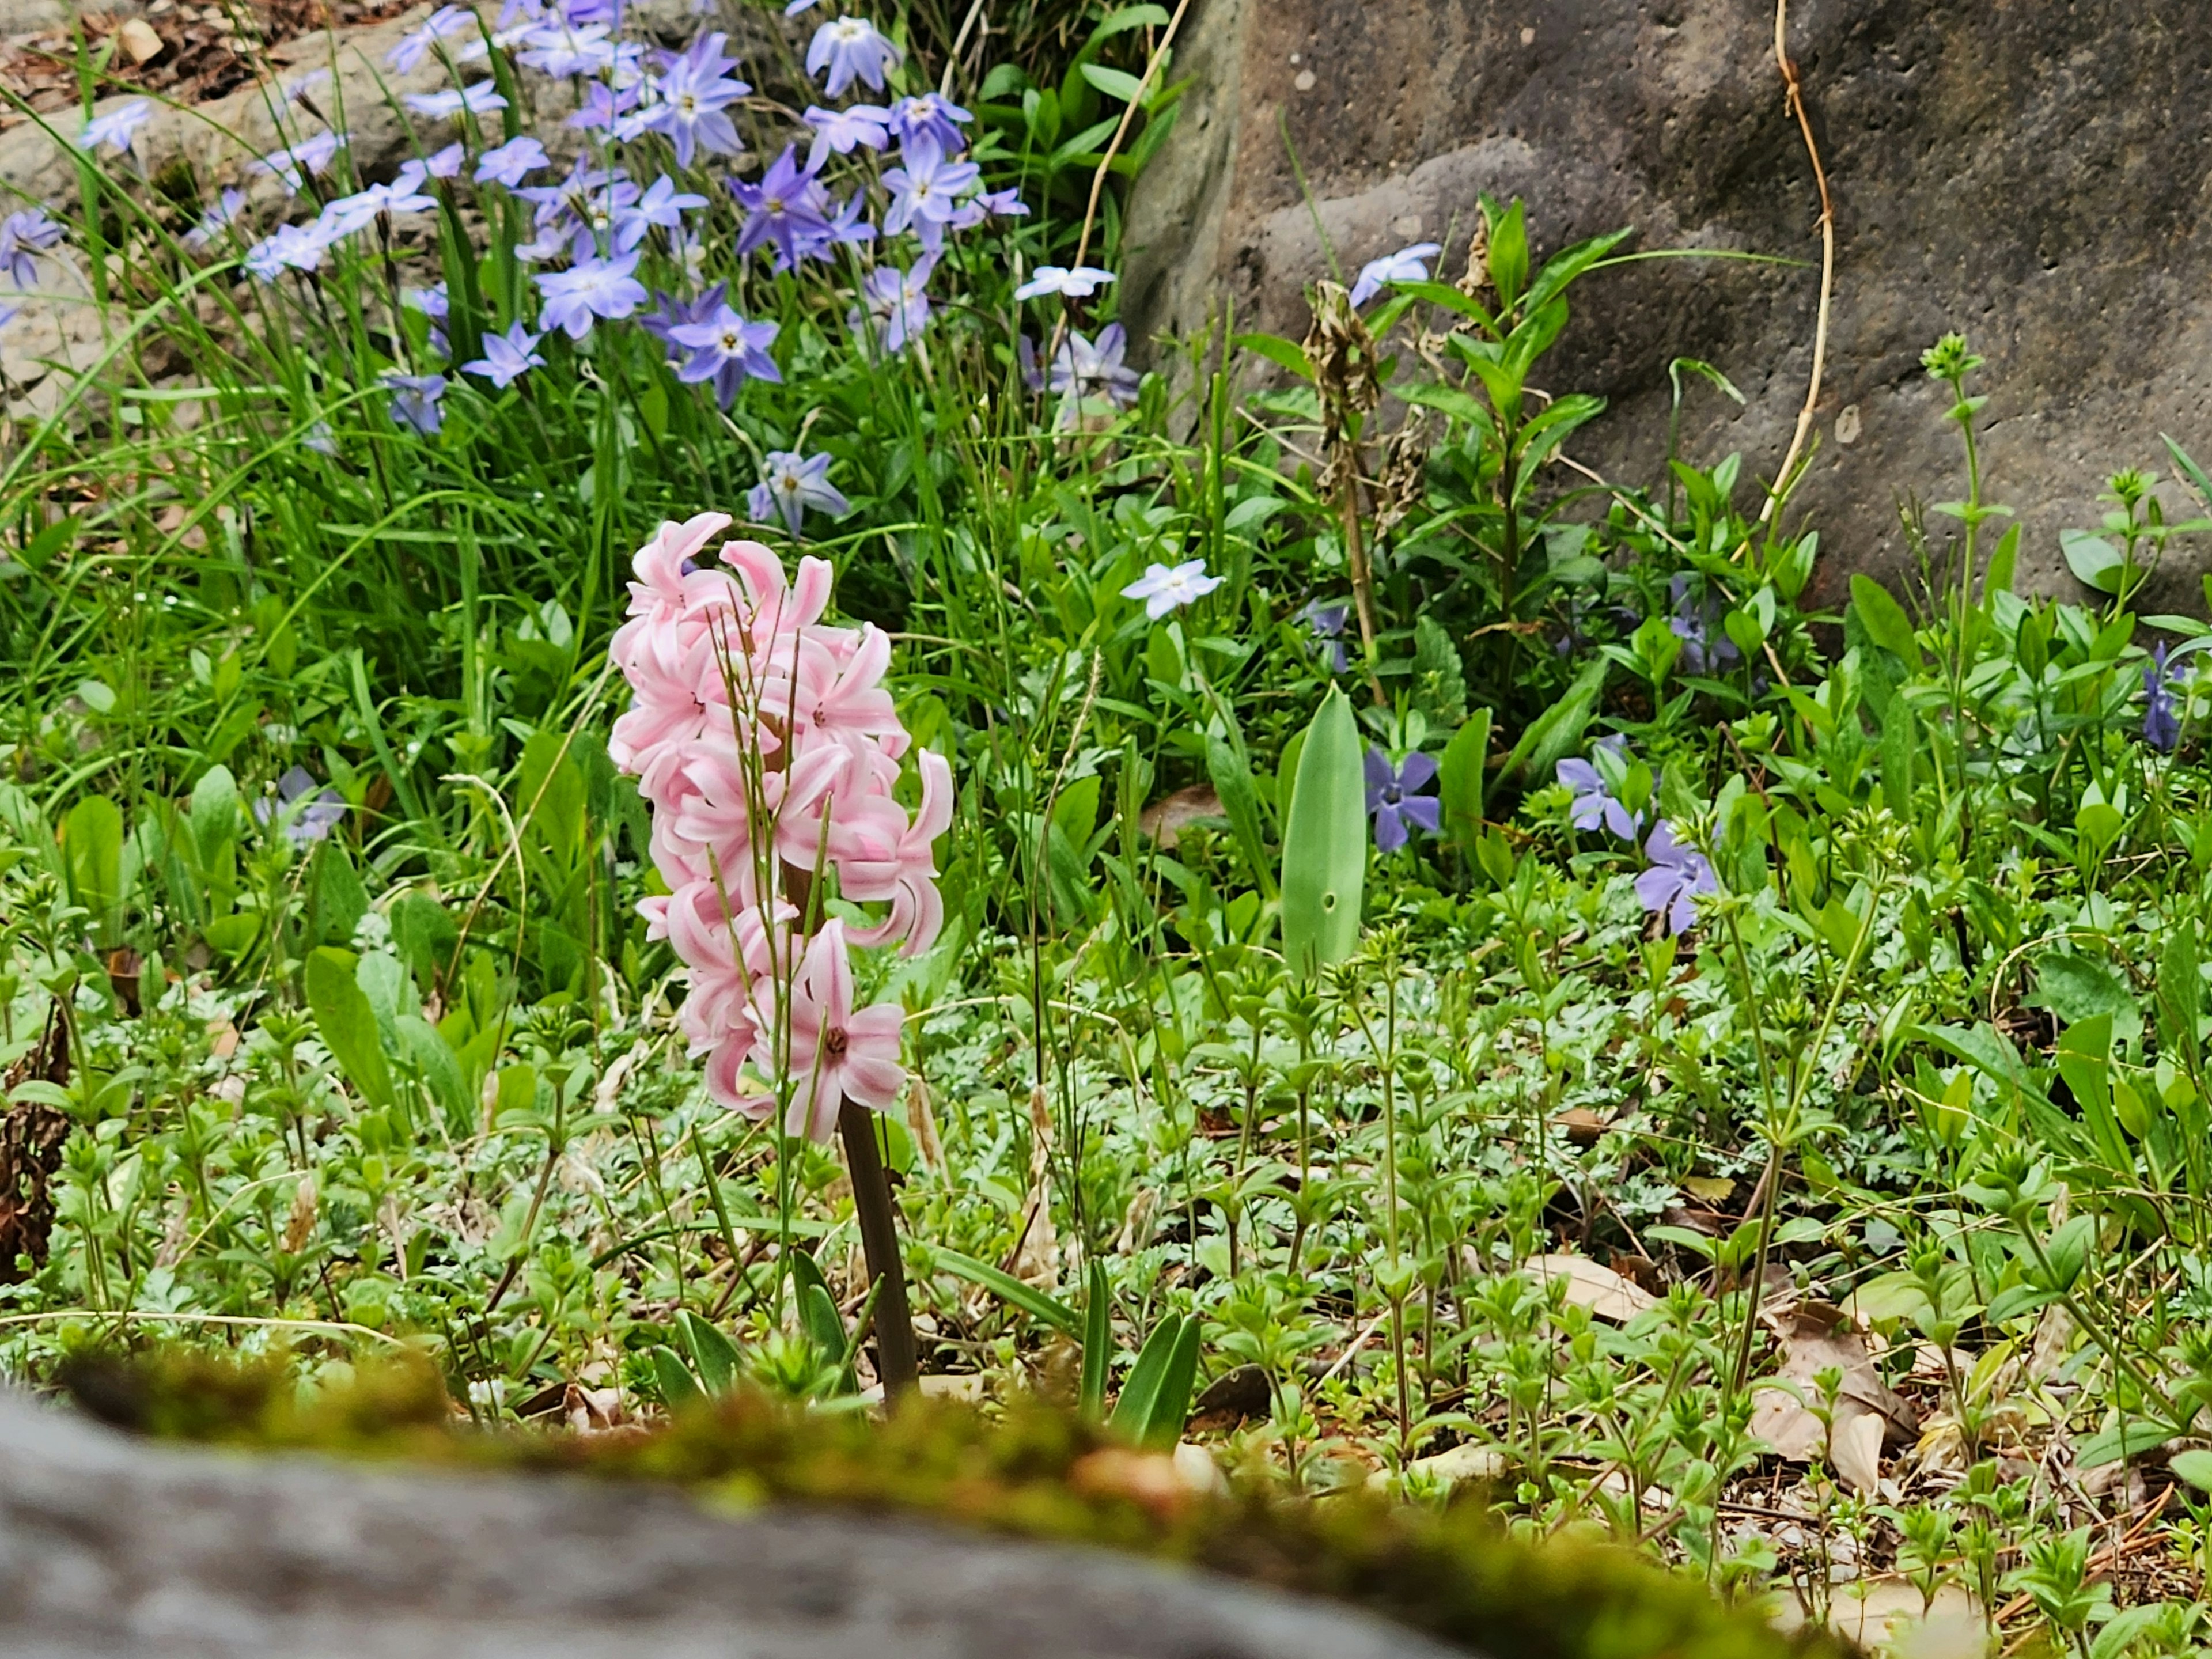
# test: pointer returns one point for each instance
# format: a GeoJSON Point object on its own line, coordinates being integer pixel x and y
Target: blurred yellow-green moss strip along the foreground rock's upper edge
{"type": "Point", "coordinates": [1034, 1472]}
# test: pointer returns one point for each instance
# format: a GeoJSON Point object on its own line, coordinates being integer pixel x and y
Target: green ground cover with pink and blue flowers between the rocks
{"type": "Point", "coordinates": [665, 627]}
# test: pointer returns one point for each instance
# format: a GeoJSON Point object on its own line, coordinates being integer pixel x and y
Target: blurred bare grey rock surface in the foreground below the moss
{"type": "Point", "coordinates": [116, 1547]}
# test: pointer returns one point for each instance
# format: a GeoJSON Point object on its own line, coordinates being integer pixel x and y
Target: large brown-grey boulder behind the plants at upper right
{"type": "Point", "coordinates": [2030, 171]}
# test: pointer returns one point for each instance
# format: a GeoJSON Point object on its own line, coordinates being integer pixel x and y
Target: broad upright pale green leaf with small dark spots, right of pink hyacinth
{"type": "Point", "coordinates": [1326, 844]}
